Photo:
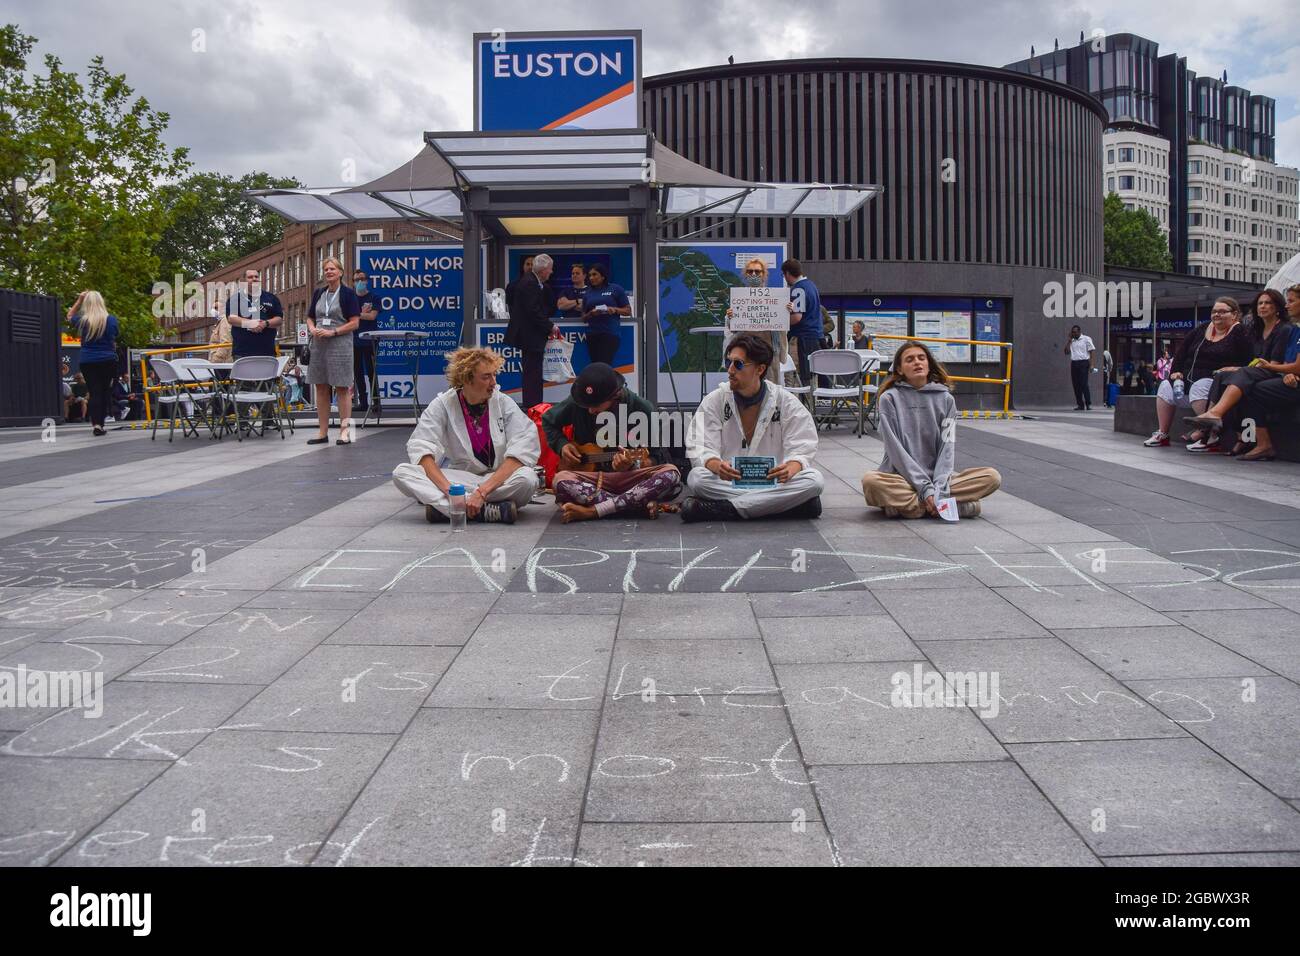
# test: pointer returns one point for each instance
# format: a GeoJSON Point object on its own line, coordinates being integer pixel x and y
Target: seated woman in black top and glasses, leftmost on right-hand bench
{"type": "Point", "coordinates": [1216, 345]}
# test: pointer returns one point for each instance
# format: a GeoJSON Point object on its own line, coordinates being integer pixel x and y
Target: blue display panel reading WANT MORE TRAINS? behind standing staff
{"type": "Point", "coordinates": [421, 288]}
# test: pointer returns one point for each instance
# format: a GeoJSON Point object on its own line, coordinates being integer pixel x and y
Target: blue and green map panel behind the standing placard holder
{"type": "Point", "coordinates": [695, 291]}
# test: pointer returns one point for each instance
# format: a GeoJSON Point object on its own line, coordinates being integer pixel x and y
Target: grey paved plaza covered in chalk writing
{"type": "Point", "coordinates": [300, 671]}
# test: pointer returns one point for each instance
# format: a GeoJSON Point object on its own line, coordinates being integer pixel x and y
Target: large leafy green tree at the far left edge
{"type": "Point", "coordinates": [80, 161]}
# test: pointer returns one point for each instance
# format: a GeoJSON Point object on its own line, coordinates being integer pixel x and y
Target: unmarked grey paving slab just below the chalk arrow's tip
{"type": "Point", "coordinates": [957, 615]}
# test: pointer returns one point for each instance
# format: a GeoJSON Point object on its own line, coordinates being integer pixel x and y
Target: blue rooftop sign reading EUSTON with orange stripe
{"type": "Point", "coordinates": [558, 81]}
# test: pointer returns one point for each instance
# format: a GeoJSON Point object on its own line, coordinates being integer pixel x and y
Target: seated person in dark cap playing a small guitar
{"type": "Point", "coordinates": [627, 483]}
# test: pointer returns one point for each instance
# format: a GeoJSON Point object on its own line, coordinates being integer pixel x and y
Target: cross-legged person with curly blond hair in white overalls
{"type": "Point", "coordinates": [474, 436]}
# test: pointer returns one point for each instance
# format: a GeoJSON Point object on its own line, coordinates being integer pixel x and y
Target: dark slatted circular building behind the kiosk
{"type": "Point", "coordinates": [993, 189]}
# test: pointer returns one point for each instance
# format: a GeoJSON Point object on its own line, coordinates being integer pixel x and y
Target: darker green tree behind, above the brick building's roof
{"type": "Point", "coordinates": [213, 224]}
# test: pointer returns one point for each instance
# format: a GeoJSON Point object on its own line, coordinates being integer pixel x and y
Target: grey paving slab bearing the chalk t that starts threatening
{"type": "Point", "coordinates": [513, 664]}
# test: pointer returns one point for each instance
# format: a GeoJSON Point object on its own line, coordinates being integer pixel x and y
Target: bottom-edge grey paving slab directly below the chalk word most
{"type": "Point", "coordinates": [799, 843]}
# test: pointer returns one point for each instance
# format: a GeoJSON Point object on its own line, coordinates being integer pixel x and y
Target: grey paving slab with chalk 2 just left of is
{"type": "Point", "coordinates": [244, 648]}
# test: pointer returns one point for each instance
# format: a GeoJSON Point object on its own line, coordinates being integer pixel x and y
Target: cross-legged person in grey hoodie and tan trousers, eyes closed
{"type": "Point", "coordinates": [918, 429]}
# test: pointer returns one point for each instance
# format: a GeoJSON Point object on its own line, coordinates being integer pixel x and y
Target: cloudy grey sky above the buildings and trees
{"type": "Point", "coordinates": [300, 89]}
